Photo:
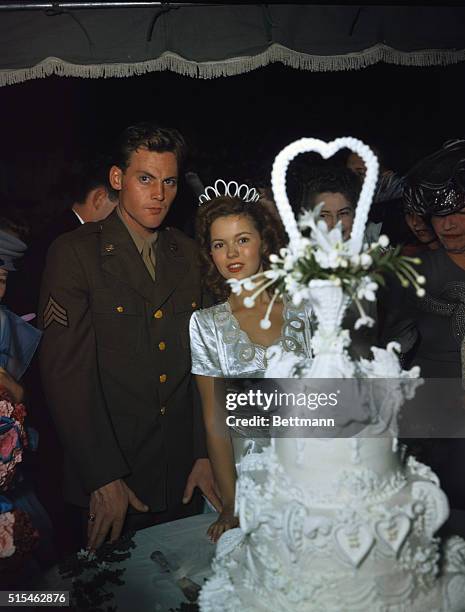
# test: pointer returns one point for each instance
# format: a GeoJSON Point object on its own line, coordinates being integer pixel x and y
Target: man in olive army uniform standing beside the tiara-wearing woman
{"type": "Point", "coordinates": [116, 300]}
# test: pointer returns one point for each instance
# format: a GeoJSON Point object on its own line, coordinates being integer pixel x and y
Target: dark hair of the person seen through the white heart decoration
{"type": "Point", "coordinates": [331, 180]}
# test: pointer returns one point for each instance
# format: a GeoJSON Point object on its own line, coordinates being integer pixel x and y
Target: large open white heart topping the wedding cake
{"type": "Point", "coordinates": [326, 150]}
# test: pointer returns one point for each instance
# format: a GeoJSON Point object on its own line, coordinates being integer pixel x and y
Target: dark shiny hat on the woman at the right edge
{"type": "Point", "coordinates": [436, 184]}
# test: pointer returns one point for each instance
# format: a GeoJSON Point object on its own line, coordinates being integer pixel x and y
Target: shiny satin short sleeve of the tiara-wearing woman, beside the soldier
{"type": "Point", "coordinates": [204, 348]}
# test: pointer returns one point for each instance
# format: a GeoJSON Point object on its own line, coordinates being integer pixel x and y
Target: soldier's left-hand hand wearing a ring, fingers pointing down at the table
{"type": "Point", "coordinates": [108, 507]}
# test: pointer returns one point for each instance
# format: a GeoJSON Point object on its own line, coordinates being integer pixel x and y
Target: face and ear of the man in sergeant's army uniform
{"type": "Point", "coordinates": [146, 188]}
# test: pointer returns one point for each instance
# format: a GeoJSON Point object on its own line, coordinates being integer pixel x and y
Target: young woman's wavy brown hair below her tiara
{"type": "Point", "coordinates": [270, 230]}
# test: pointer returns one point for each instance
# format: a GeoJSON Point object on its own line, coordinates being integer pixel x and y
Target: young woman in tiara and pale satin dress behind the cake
{"type": "Point", "coordinates": [236, 236]}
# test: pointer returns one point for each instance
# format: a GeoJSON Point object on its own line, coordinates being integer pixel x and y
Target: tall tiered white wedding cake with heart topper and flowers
{"type": "Point", "coordinates": [344, 524]}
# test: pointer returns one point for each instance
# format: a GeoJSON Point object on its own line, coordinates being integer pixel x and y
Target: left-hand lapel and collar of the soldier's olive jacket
{"type": "Point", "coordinates": [121, 259]}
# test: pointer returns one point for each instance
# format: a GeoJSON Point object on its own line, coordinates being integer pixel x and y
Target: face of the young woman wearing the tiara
{"type": "Point", "coordinates": [235, 246]}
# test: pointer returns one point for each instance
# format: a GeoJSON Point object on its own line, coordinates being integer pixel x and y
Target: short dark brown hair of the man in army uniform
{"type": "Point", "coordinates": [148, 136]}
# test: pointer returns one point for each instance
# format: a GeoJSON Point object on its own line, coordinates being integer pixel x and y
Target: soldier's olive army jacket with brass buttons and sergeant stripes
{"type": "Point", "coordinates": [115, 361]}
